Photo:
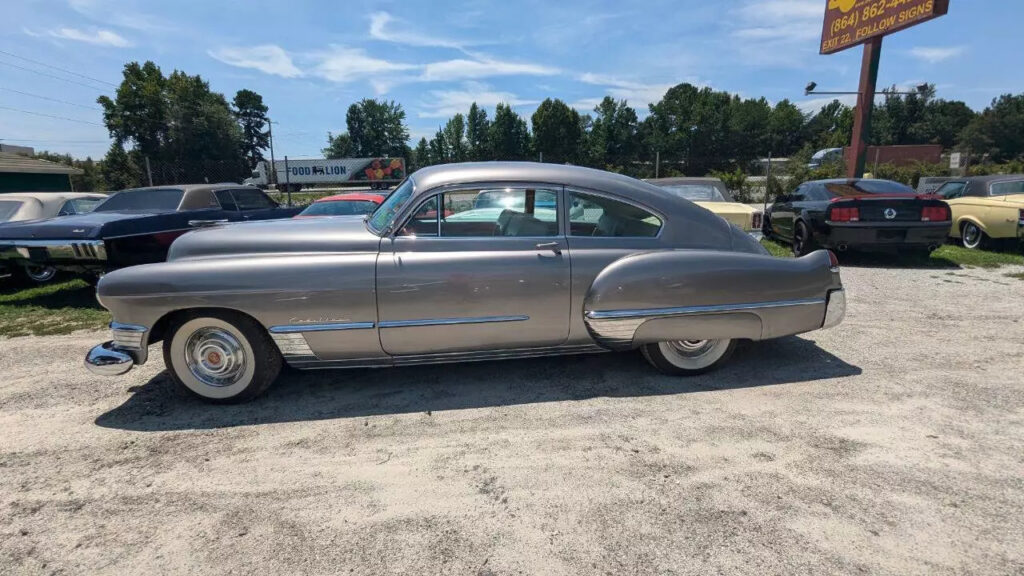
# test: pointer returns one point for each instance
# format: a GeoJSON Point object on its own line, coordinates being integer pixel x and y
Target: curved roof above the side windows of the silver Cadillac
{"type": "Point", "coordinates": [425, 180]}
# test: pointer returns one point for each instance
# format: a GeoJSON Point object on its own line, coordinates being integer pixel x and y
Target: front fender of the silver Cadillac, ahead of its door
{"type": "Point", "coordinates": [278, 291]}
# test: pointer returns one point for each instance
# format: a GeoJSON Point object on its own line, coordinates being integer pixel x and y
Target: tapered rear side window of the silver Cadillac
{"type": "Point", "coordinates": [601, 217]}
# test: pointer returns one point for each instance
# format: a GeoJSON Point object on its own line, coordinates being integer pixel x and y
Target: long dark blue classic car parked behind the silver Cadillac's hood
{"type": "Point", "coordinates": [133, 227]}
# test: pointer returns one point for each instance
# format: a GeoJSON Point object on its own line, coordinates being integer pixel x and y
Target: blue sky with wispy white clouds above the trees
{"type": "Point", "coordinates": [311, 60]}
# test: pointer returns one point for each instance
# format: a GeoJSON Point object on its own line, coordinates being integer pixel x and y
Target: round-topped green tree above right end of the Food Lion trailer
{"type": "Point", "coordinates": [377, 129]}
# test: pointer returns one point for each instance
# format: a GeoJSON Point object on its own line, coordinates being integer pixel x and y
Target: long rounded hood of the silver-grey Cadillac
{"type": "Point", "coordinates": [304, 236]}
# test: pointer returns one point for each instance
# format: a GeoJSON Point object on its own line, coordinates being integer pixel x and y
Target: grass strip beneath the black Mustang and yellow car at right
{"type": "Point", "coordinates": [947, 257]}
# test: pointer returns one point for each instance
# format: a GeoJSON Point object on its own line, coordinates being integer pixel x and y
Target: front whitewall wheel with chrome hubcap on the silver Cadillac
{"type": "Point", "coordinates": [222, 357]}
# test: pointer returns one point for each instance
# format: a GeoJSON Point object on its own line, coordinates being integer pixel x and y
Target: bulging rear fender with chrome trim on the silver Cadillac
{"type": "Point", "coordinates": [700, 295]}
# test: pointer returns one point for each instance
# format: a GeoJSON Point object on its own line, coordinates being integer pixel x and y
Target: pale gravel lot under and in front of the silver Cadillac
{"type": "Point", "coordinates": [891, 445]}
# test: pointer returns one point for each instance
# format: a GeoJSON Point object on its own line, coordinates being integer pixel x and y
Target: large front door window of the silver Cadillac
{"type": "Point", "coordinates": [505, 212]}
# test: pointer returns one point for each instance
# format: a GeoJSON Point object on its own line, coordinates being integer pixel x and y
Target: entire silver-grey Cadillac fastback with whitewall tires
{"type": "Point", "coordinates": [466, 262]}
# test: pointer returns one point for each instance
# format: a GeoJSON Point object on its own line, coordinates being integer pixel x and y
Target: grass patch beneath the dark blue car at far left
{"type": "Point", "coordinates": [60, 308]}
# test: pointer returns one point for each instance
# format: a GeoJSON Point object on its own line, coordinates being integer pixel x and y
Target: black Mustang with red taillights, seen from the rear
{"type": "Point", "coordinates": [864, 215]}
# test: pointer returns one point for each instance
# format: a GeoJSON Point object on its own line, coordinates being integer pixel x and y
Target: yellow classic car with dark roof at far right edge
{"type": "Point", "coordinates": [986, 209]}
